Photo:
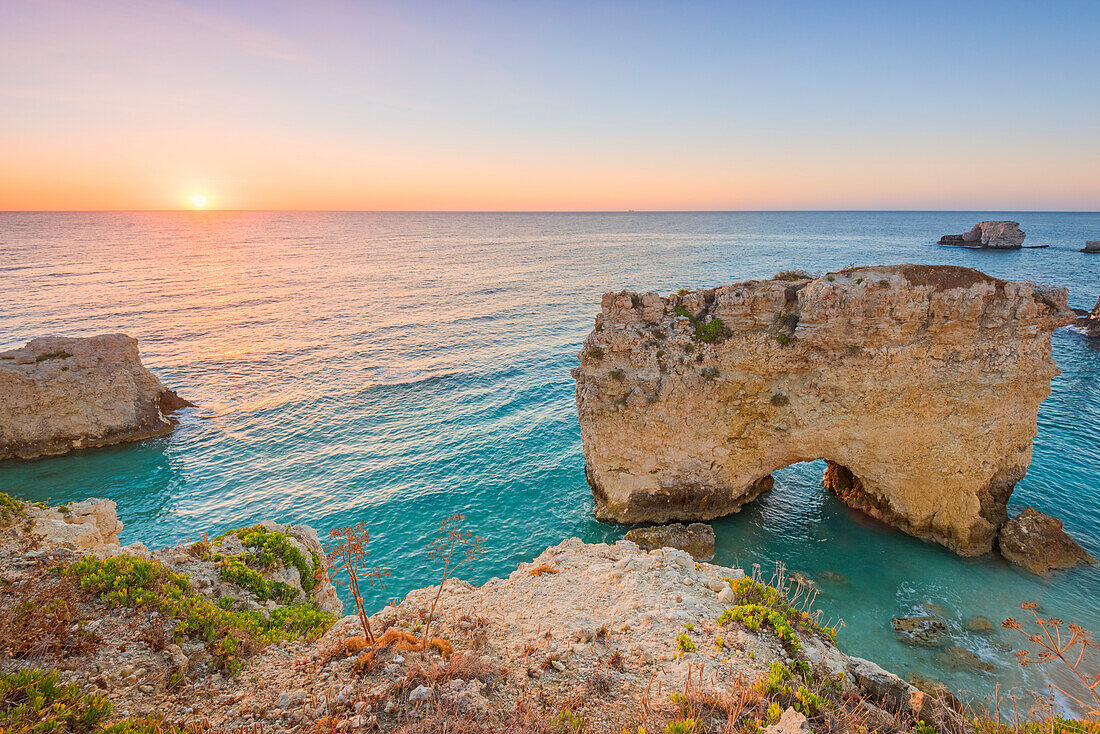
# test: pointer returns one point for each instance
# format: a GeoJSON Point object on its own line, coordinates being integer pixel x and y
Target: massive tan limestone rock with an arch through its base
{"type": "Point", "coordinates": [920, 386]}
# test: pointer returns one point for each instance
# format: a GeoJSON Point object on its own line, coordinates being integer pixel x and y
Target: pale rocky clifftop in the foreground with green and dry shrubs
{"type": "Point", "coordinates": [609, 636]}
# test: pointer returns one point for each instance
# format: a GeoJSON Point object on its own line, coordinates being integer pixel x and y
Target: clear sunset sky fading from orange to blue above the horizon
{"type": "Point", "coordinates": [549, 106]}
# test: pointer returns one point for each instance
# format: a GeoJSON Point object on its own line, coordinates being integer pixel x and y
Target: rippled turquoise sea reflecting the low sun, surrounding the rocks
{"type": "Point", "coordinates": [395, 369]}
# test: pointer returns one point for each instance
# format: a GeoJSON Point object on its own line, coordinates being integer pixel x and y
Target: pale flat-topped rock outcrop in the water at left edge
{"type": "Point", "coordinates": [59, 395]}
